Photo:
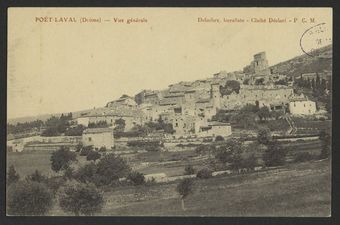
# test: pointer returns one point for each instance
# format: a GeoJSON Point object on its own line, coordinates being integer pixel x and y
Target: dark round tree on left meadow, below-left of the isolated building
{"type": "Point", "coordinates": [62, 158]}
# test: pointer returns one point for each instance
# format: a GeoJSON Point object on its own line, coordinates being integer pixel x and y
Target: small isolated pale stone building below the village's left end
{"type": "Point", "coordinates": [98, 137]}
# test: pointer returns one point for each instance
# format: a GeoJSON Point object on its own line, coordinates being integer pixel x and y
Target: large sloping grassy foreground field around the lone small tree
{"type": "Point", "coordinates": [296, 190]}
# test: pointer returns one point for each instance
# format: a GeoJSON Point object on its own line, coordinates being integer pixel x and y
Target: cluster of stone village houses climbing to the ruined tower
{"type": "Point", "coordinates": [190, 106]}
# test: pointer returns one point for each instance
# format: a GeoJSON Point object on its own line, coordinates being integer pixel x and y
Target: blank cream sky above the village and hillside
{"type": "Point", "coordinates": [69, 66]}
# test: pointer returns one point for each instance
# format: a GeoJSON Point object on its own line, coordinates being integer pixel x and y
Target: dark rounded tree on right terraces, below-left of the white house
{"type": "Point", "coordinates": [274, 155]}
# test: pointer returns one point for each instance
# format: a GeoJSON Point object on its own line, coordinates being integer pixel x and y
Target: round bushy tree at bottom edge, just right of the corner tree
{"type": "Point", "coordinates": [81, 199]}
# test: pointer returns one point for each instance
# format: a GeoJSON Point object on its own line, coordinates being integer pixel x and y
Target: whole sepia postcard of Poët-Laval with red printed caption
{"type": "Point", "coordinates": [169, 112]}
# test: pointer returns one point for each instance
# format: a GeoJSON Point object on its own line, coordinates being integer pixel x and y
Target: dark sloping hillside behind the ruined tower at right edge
{"type": "Point", "coordinates": [306, 64]}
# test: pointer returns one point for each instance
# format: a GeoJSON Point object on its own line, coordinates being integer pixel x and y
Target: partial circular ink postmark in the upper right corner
{"type": "Point", "coordinates": [314, 39]}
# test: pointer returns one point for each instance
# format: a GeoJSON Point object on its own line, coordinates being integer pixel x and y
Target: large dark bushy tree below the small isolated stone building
{"type": "Point", "coordinates": [112, 167]}
